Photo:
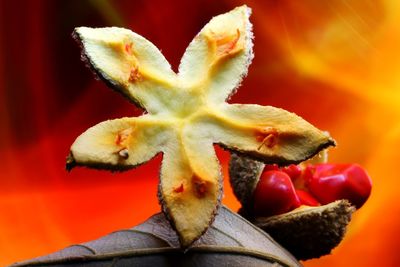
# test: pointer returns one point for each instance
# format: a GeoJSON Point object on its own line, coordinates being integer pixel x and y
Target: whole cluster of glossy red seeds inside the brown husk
{"type": "Point", "coordinates": [281, 190]}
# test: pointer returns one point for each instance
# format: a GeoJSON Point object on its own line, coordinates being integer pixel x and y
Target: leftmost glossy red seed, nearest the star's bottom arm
{"type": "Point", "coordinates": [274, 194]}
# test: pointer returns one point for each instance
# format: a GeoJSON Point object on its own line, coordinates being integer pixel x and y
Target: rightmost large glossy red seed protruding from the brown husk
{"type": "Point", "coordinates": [330, 182]}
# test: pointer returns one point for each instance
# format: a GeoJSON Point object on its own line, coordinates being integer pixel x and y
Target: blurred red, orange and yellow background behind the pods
{"type": "Point", "coordinates": [335, 63]}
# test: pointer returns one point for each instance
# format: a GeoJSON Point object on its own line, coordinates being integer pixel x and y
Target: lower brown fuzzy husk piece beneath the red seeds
{"type": "Point", "coordinates": [310, 232]}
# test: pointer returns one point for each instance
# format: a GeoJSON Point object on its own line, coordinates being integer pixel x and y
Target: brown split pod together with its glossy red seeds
{"type": "Point", "coordinates": [285, 201]}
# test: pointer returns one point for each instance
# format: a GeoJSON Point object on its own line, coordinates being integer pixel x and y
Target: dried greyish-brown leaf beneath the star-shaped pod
{"type": "Point", "coordinates": [230, 241]}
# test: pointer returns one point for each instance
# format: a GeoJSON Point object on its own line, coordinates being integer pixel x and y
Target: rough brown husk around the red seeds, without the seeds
{"type": "Point", "coordinates": [307, 232]}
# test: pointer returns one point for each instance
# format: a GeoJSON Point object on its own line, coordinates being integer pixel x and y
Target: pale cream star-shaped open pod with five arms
{"type": "Point", "coordinates": [186, 115]}
